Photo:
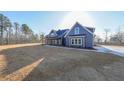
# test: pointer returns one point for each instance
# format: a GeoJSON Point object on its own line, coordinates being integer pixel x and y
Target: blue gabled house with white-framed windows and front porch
{"type": "Point", "coordinates": [77, 36]}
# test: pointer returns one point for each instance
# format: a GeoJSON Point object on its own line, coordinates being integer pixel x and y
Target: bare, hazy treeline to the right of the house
{"type": "Point", "coordinates": [111, 37]}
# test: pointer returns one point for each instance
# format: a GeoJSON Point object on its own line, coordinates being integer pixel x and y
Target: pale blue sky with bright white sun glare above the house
{"type": "Point", "coordinates": [45, 21]}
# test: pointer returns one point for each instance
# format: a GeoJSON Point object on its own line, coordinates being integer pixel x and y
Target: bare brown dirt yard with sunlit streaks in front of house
{"type": "Point", "coordinates": [37, 62]}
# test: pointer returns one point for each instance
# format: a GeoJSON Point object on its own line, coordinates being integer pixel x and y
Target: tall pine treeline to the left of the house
{"type": "Point", "coordinates": [13, 33]}
